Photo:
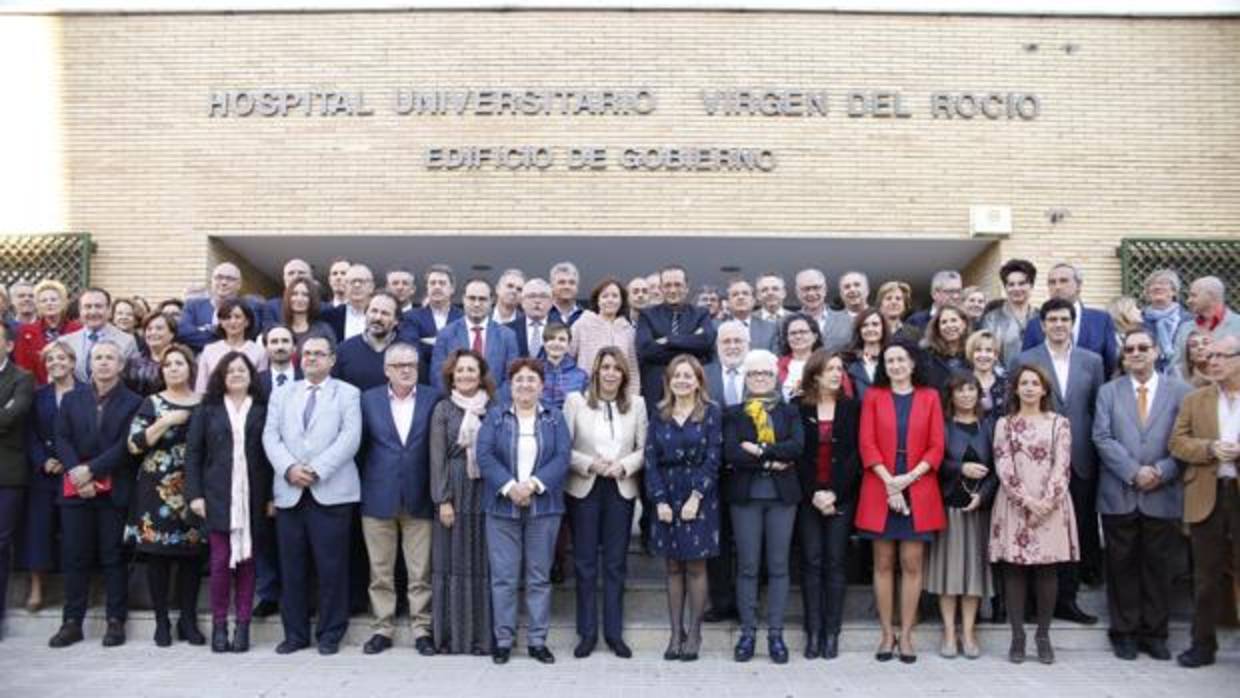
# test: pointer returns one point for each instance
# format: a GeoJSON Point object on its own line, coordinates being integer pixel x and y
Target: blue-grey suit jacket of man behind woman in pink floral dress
{"type": "Point", "coordinates": [1086, 379]}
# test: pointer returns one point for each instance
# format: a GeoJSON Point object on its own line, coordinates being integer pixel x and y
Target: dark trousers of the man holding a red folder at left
{"type": "Point", "coordinates": [90, 529]}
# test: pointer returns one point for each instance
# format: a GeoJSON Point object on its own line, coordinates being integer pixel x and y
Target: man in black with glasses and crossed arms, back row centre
{"type": "Point", "coordinates": [669, 330]}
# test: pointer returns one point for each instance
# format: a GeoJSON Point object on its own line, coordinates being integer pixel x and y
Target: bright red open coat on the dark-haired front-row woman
{"type": "Point", "coordinates": [924, 443]}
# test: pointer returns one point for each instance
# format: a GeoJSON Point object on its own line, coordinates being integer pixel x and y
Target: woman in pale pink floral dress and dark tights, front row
{"type": "Point", "coordinates": [1032, 524]}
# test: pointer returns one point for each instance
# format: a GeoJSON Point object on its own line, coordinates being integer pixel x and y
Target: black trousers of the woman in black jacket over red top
{"type": "Point", "coordinates": [824, 567]}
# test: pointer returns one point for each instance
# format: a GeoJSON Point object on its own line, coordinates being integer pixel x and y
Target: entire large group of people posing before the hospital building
{"type": "Point", "coordinates": [985, 451]}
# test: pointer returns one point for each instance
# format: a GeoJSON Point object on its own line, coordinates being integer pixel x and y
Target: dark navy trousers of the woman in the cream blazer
{"type": "Point", "coordinates": [601, 524]}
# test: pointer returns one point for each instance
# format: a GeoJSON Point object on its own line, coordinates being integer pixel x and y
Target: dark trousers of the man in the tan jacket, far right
{"type": "Point", "coordinates": [1215, 541]}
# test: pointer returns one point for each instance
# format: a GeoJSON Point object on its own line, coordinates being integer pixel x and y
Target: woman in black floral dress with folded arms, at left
{"type": "Point", "coordinates": [162, 528]}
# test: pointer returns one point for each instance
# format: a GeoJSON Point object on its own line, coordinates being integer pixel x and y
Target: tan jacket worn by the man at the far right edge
{"type": "Point", "coordinates": [1197, 428]}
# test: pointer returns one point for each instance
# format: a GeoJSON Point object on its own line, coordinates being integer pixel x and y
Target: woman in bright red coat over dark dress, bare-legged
{"type": "Point", "coordinates": [902, 444]}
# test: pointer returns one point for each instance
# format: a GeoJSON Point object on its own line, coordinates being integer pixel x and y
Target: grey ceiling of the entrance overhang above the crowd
{"type": "Point", "coordinates": [621, 256]}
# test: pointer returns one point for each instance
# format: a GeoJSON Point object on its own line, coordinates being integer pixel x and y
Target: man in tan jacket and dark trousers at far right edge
{"type": "Point", "coordinates": [1207, 438]}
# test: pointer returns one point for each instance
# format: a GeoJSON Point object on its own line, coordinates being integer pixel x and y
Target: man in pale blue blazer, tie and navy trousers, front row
{"type": "Point", "coordinates": [312, 436]}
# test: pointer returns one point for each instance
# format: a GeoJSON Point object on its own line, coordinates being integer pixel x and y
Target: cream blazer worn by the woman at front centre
{"type": "Point", "coordinates": [591, 433]}
